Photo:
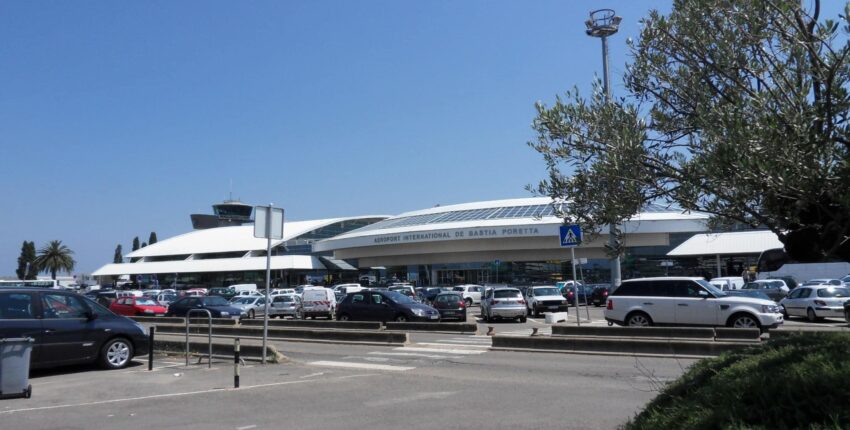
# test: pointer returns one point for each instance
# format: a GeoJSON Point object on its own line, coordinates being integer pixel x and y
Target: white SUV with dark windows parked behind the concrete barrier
{"type": "Point", "coordinates": [686, 301]}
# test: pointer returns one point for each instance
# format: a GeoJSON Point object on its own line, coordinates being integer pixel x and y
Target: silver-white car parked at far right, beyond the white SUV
{"type": "Point", "coordinates": [816, 302]}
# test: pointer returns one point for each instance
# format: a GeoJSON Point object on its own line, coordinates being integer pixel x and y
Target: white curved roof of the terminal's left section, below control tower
{"type": "Point", "coordinates": [231, 239]}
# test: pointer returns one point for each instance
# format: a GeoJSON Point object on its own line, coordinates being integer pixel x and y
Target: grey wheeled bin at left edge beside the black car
{"type": "Point", "coordinates": [15, 367]}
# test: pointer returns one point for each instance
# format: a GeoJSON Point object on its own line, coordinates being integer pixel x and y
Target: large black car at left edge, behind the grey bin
{"type": "Point", "coordinates": [69, 328]}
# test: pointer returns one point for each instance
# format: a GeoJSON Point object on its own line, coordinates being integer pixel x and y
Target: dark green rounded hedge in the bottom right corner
{"type": "Point", "coordinates": [800, 381]}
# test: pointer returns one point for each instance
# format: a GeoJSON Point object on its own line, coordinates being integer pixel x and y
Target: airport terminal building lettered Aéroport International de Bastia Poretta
{"type": "Point", "coordinates": [503, 241]}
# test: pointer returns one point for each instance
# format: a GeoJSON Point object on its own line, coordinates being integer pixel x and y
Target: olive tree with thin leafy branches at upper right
{"type": "Point", "coordinates": [734, 108]}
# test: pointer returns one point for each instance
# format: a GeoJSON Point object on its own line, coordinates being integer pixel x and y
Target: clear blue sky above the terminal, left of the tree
{"type": "Point", "coordinates": [118, 118]}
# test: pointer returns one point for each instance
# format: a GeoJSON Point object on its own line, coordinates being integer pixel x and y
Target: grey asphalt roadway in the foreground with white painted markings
{"type": "Point", "coordinates": [451, 381]}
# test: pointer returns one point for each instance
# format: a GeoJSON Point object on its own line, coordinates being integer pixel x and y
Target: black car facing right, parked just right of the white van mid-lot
{"type": "Point", "coordinates": [375, 305]}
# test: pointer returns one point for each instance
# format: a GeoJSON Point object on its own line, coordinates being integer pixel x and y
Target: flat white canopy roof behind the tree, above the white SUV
{"type": "Point", "coordinates": [744, 242]}
